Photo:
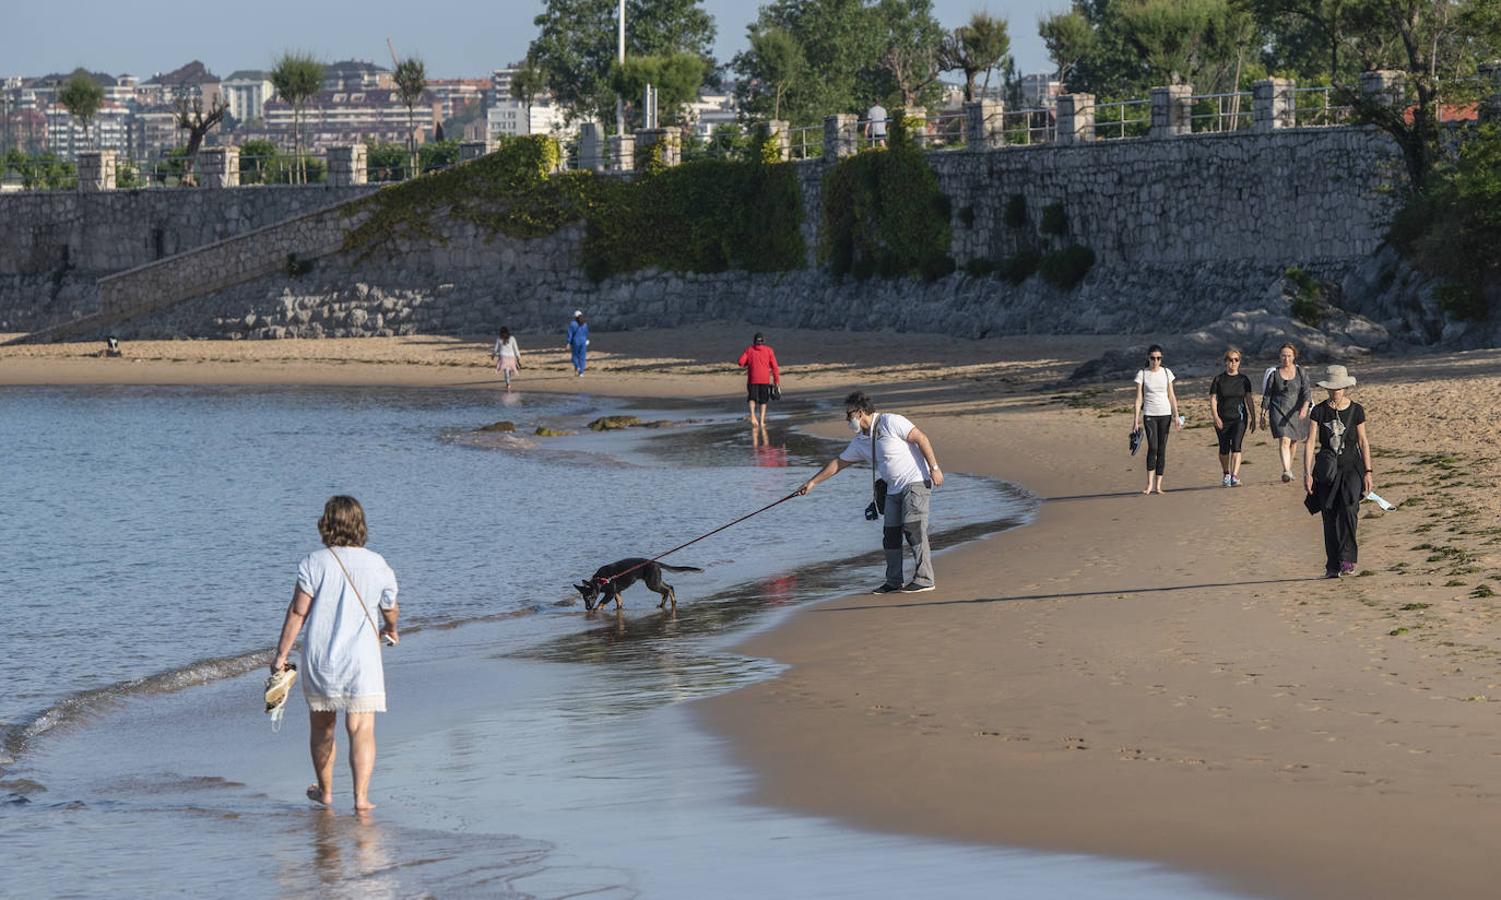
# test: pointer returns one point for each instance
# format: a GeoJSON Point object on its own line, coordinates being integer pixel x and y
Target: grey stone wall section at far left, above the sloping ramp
{"type": "Point", "coordinates": [56, 245]}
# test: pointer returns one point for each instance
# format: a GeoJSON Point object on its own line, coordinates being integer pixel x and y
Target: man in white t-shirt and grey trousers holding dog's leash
{"type": "Point", "coordinates": [907, 464]}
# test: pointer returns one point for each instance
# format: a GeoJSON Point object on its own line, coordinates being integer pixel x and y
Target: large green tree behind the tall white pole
{"type": "Point", "coordinates": [576, 46]}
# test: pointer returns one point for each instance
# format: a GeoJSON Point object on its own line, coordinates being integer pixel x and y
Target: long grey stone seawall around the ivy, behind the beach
{"type": "Point", "coordinates": [1185, 232]}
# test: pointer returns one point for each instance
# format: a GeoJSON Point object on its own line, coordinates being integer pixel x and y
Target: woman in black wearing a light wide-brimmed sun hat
{"type": "Point", "coordinates": [1341, 475]}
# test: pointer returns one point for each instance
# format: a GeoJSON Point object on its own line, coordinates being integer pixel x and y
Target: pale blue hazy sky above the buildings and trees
{"type": "Point", "coordinates": [457, 38]}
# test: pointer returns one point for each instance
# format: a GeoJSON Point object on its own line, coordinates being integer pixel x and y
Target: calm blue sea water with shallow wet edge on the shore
{"type": "Point", "coordinates": [151, 539]}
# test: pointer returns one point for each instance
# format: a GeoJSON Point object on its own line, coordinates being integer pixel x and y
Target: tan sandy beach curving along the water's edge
{"type": "Point", "coordinates": [1149, 677]}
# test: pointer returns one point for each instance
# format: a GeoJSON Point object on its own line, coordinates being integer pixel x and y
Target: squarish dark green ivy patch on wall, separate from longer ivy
{"type": "Point", "coordinates": [885, 215]}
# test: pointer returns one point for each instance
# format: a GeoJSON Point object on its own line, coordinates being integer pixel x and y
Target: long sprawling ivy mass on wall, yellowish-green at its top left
{"type": "Point", "coordinates": [702, 217]}
